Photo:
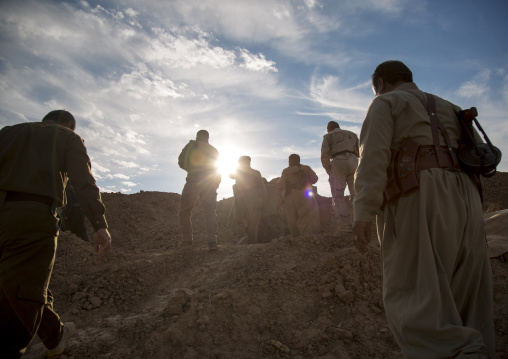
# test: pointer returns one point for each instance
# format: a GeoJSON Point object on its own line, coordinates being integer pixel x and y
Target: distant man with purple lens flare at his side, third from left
{"type": "Point", "coordinates": [295, 190]}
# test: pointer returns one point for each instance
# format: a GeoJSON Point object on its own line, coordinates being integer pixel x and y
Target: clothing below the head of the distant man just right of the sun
{"type": "Point", "coordinates": [250, 193]}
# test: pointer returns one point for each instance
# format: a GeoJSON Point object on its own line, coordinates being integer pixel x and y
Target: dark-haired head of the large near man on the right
{"type": "Point", "coordinates": [389, 75]}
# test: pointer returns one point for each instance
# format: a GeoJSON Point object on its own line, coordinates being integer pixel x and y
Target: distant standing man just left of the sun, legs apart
{"type": "Point", "coordinates": [199, 159]}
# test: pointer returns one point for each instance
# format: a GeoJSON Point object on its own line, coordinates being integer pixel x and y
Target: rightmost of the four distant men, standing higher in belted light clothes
{"type": "Point", "coordinates": [339, 156]}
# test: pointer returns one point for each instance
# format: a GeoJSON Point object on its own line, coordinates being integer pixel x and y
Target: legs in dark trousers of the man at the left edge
{"type": "Point", "coordinates": [28, 233]}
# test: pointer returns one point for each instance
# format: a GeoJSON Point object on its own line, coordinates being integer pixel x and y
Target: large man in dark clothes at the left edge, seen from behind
{"type": "Point", "coordinates": [36, 159]}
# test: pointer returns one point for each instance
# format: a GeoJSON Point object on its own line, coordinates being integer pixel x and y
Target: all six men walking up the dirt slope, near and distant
{"type": "Point", "coordinates": [437, 288]}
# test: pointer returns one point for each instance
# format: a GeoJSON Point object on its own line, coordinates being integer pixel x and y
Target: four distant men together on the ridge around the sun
{"type": "Point", "coordinates": [295, 193]}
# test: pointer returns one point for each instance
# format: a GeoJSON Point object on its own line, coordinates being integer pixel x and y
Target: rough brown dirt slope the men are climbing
{"type": "Point", "coordinates": [311, 297]}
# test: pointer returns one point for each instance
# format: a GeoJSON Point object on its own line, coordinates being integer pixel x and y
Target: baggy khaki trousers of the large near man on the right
{"type": "Point", "coordinates": [431, 273]}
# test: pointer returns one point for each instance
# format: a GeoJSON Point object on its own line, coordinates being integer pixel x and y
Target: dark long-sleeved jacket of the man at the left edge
{"type": "Point", "coordinates": [38, 157]}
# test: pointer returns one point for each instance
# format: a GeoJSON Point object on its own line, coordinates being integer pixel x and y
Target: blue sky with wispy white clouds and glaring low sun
{"type": "Point", "coordinates": [263, 77]}
